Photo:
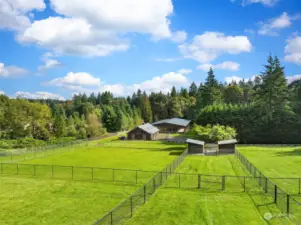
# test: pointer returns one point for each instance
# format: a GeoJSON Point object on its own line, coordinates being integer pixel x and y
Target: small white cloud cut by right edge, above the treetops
{"type": "Point", "coordinates": [293, 50]}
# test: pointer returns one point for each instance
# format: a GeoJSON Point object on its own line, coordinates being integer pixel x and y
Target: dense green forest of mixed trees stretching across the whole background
{"type": "Point", "coordinates": [264, 110]}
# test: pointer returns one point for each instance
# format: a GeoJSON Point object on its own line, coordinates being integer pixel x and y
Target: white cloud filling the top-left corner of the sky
{"type": "Point", "coordinates": [13, 13]}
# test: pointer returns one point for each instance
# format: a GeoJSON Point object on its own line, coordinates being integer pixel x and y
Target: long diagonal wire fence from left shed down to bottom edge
{"type": "Point", "coordinates": [126, 209]}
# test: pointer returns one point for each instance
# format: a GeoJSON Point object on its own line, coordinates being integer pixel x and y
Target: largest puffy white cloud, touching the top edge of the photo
{"type": "Point", "coordinates": [99, 28]}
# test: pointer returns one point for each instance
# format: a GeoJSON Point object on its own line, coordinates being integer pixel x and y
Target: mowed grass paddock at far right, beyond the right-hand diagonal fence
{"type": "Point", "coordinates": [277, 162]}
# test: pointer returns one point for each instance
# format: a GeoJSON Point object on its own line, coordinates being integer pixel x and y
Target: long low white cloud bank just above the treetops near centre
{"type": "Point", "coordinates": [86, 83]}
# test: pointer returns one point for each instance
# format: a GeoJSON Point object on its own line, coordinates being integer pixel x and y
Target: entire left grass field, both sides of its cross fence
{"type": "Point", "coordinates": [65, 201]}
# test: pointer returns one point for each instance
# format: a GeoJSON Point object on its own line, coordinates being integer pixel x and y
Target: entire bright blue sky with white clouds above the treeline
{"type": "Point", "coordinates": [54, 49]}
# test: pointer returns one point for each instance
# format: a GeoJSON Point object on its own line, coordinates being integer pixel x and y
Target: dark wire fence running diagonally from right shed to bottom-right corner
{"type": "Point", "coordinates": [285, 202]}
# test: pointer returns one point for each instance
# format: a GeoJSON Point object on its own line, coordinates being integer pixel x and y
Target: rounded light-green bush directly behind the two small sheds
{"type": "Point", "coordinates": [211, 133]}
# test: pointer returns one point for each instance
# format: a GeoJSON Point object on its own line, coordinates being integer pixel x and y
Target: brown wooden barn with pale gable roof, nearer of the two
{"type": "Point", "coordinates": [143, 132]}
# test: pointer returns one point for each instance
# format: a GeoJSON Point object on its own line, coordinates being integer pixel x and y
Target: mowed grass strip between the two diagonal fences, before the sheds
{"type": "Point", "coordinates": [208, 205]}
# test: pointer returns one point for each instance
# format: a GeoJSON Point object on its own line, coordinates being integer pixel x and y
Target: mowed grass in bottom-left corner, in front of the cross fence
{"type": "Point", "coordinates": [36, 201]}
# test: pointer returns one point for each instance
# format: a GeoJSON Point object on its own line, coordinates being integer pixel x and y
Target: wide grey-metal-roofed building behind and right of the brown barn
{"type": "Point", "coordinates": [173, 125]}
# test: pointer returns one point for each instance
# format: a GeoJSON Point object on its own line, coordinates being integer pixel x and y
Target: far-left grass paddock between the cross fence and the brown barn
{"type": "Point", "coordinates": [138, 155]}
